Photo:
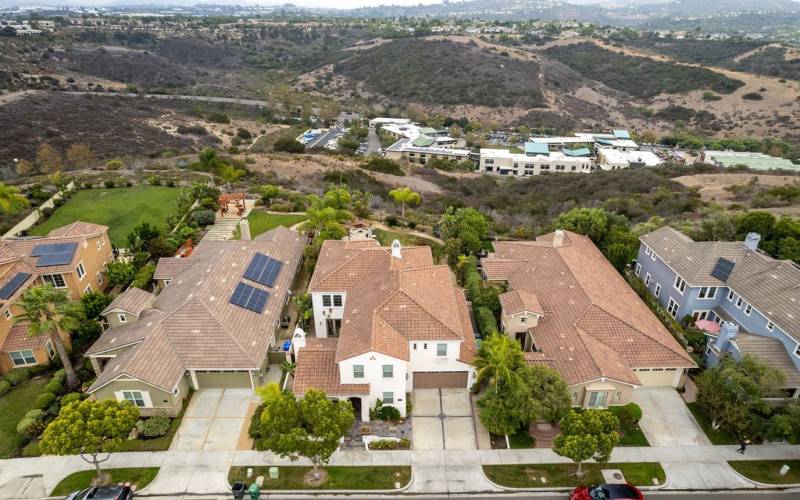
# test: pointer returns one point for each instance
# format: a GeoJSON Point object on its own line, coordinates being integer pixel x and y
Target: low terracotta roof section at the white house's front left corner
{"type": "Point", "coordinates": [317, 369]}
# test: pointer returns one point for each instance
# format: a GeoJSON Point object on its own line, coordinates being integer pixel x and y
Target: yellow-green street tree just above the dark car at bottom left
{"type": "Point", "coordinates": [90, 428]}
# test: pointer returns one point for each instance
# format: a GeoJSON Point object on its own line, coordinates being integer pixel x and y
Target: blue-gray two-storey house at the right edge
{"type": "Point", "coordinates": [754, 298]}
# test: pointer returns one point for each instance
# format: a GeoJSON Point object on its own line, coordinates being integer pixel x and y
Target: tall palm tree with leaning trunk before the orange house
{"type": "Point", "coordinates": [50, 312]}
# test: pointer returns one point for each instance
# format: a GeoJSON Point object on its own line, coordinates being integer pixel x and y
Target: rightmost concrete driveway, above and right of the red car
{"type": "Point", "coordinates": [666, 421]}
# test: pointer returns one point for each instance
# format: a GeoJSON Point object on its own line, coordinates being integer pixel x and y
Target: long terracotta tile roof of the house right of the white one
{"type": "Point", "coordinates": [594, 325]}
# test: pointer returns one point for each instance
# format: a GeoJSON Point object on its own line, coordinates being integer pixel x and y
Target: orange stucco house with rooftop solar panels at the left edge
{"type": "Point", "coordinates": [71, 258]}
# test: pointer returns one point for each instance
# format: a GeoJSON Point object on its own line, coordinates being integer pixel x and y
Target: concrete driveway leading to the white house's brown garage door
{"type": "Point", "coordinates": [442, 419]}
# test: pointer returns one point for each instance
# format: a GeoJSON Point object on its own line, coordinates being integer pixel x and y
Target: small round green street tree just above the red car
{"type": "Point", "coordinates": [589, 435]}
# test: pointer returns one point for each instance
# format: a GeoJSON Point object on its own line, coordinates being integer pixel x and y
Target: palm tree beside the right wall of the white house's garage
{"type": "Point", "coordinates": [498, 360]}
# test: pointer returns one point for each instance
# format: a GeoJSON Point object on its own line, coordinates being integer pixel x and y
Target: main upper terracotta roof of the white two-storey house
{"type": "Point", "coordinates": [392, 301]}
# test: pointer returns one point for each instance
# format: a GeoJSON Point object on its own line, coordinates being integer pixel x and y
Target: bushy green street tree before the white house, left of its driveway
{"type": "Point", "coordinates": [310, 427]}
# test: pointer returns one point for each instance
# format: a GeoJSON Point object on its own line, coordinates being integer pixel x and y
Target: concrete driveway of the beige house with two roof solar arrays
{"type": "Point", "coordinates": [214, 420]}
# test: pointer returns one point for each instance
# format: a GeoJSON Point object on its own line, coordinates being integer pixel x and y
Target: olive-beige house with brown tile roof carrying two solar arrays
{"type": "Point", "coordinates": [213, 326]}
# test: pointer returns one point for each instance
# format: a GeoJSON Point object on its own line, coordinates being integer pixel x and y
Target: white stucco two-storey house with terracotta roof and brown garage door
{"type": "Point", "coordinates": [386, 321]}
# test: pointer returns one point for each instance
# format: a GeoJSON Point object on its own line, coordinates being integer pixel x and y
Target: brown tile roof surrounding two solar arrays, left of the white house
{"type": "Point", "coordinates": [194, 326]}
